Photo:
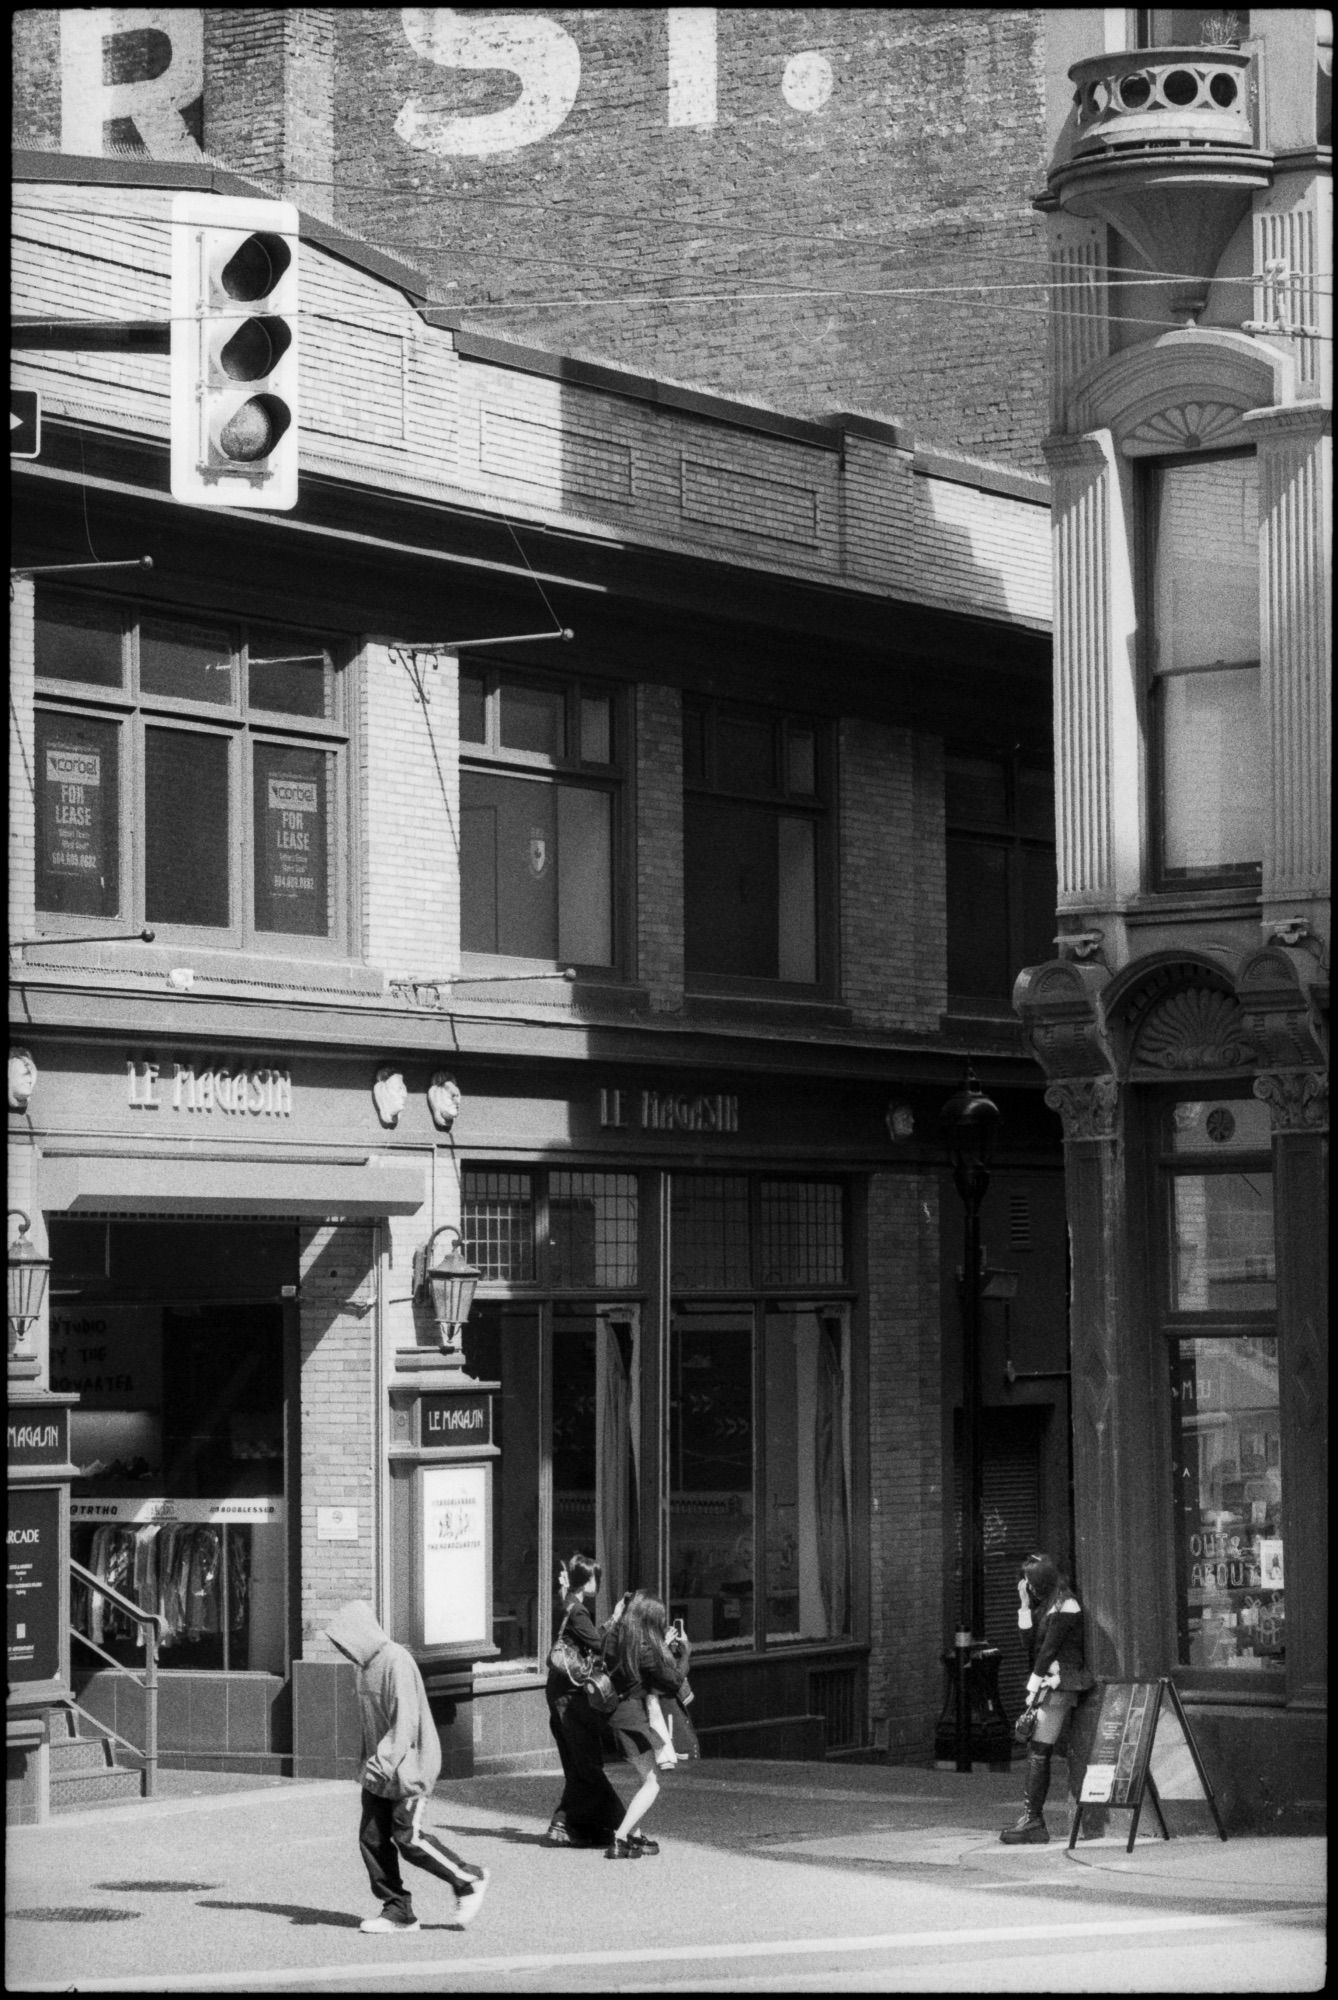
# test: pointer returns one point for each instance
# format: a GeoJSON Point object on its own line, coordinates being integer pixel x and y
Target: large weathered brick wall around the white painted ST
{"type": "Point", "coordinates": [917, 171]}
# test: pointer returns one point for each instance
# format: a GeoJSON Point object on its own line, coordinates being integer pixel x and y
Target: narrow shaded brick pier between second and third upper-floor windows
{"type": "Point", "coordinates": [659, 847]}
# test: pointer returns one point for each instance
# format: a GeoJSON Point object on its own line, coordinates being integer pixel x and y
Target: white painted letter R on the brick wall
{"type": "Point", "coordinates": [133, 77]}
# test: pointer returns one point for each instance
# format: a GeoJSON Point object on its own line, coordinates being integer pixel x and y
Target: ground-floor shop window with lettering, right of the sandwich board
{"type": "Point", "coordinates": [1227, 1467]}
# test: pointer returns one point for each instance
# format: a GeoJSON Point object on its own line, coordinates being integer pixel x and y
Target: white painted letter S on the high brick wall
{"type": "Point", "coordinates": [531, 47]}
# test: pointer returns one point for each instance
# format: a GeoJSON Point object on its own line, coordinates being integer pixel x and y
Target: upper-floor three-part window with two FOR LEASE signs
{"type": "Point", "coordinates": [191, 775]}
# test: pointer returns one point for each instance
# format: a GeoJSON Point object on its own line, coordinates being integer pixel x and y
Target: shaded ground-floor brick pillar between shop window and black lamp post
{"type": "Point", "coordinates": [905, 1397]}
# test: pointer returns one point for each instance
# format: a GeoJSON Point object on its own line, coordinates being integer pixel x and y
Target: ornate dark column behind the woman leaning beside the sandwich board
{"type": "Point", "coordinates": [1117, 1473]}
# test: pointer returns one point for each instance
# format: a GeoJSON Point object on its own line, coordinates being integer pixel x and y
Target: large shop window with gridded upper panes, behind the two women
{"type": "Point", "coordinates": [757, 1491]}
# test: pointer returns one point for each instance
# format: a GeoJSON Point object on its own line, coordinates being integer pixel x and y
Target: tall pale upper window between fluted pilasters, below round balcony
{"type": "Point", "coordinates": [1203, 639]}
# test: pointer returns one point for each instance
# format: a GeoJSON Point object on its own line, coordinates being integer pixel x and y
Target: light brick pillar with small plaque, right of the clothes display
{"type": "Point", "coordinates": [339, 1419]}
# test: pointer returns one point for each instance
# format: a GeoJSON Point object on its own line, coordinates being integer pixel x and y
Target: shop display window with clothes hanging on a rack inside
{"type": "Point", "coordinates": [179, 1435]}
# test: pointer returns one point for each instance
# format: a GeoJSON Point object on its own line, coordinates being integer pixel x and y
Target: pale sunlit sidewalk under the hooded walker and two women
{"type": "Point", "coordinates": [221, 1881]}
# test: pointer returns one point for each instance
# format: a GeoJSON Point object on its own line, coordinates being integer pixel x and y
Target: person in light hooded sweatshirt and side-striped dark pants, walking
{"type": "Point", "coordinates": [403, 1759]}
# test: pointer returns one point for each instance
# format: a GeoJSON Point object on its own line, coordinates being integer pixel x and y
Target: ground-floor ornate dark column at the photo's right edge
{"type": "Point", "coordinates": [1299, 1107]}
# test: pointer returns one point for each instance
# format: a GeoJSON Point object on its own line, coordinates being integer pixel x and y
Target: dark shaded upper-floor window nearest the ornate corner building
{"type": "Point", "coordinates": [1001, 875]}
